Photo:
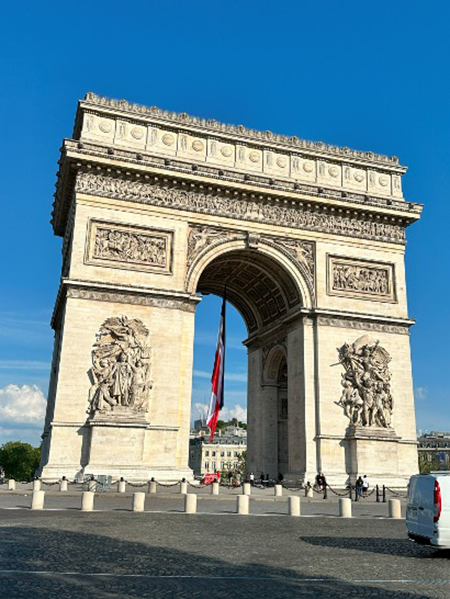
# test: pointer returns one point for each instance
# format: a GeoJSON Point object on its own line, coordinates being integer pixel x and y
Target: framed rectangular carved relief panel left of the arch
{"type": "Point", "coordinates": [129, 247]}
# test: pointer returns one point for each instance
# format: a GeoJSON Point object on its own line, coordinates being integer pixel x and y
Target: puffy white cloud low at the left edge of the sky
{"type": "Point", "coordinates": [24, 406]}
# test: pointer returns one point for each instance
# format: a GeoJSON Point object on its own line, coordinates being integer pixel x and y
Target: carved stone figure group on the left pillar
{"type": "Point", "coordinates": [120, 367]}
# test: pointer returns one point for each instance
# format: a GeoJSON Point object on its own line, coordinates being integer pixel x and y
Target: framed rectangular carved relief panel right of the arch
{"type": "Point", "coordinates": [361, 278]}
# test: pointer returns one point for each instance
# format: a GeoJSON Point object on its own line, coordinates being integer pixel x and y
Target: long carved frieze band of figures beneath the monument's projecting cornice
{"type": "Point", "coordinates": [266, 210]}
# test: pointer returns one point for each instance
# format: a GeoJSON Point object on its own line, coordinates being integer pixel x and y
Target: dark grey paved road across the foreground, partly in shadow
{"type": "Point", "coordinates": [120, 554]}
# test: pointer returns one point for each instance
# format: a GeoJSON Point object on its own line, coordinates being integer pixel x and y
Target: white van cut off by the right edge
{"type": "Point", "coordinates": [428, 509]}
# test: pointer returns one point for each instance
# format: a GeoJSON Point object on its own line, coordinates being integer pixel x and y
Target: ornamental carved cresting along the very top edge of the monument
{"type": "Point", "coordinates": [290, 142]}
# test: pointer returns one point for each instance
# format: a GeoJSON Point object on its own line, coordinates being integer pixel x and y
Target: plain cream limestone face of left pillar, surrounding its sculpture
{"type": "Point", "coordinates": [166, 438]}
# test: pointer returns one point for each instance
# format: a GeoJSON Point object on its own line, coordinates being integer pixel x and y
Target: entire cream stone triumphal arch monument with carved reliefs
{"type": "Point", "coordinates": [157, 208]}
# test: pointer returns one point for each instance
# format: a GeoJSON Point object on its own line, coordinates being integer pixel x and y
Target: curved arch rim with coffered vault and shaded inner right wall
{"type": "Point", "coordinates": [266, 287]}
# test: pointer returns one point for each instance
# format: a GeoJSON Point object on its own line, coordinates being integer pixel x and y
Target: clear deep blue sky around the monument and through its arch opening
{"type": "Point", "coordinates": [372, 76]}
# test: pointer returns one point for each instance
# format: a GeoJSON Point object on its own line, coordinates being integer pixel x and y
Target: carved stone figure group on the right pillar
{"type": "Point", "coordinates": [366, 396]}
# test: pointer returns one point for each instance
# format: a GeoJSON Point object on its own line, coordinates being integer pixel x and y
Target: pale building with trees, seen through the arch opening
{"type": "Point", "coordinates": [223, 454]}
